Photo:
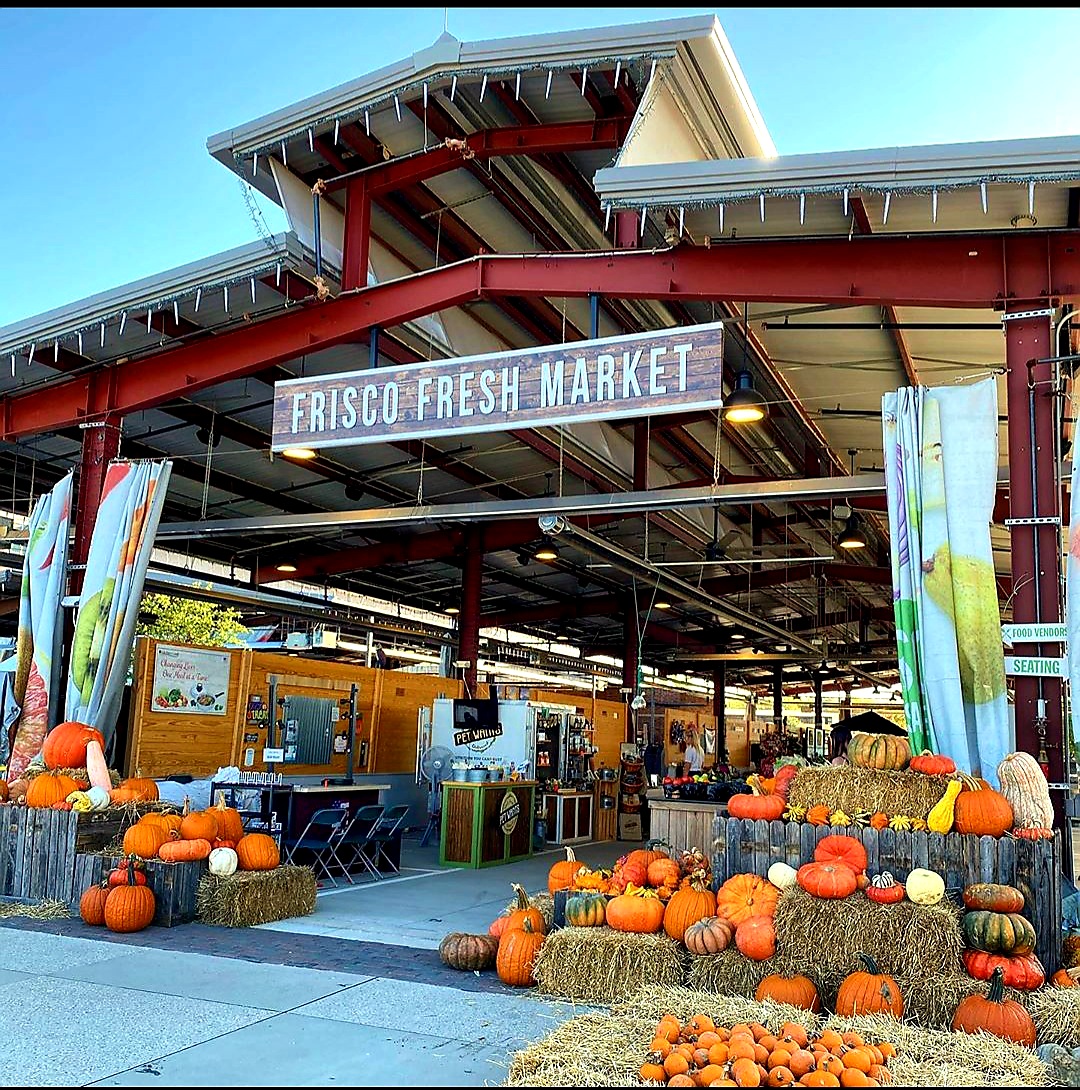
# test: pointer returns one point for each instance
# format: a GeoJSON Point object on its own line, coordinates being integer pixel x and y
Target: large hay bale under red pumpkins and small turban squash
{"type": "Point", "coordinates": [906, 940]}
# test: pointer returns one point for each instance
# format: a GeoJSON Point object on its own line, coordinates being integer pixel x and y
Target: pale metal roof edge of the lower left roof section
{"type": "Point", "coordinates": [163, 288]}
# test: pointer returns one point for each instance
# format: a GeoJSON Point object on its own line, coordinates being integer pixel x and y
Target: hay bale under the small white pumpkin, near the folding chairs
{"type": "Point", "coordinates": [250, 898]}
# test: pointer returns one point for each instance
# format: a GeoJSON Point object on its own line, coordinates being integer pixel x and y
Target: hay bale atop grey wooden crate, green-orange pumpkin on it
{"type": "Point", "coordinates": [852, 790]}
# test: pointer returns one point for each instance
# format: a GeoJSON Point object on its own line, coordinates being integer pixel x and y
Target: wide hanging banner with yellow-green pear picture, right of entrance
{"type": "Point", "coordinates": [941, 468]}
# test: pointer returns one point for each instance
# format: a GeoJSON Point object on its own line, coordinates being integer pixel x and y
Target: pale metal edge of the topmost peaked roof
{"type": "Point", "coordinates": [447, 57]}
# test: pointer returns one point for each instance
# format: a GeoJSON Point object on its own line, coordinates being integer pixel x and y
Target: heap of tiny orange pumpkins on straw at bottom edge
{"type": "Point", "coordinates": [701, 1053]}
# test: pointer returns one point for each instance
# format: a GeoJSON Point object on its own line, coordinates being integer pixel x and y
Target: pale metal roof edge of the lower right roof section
{"type": "Point", "coordinates": [900, 169]}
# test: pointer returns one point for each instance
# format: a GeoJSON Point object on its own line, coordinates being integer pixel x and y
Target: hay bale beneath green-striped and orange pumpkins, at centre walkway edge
{"type": "Point", "coordinates": [601, 965]}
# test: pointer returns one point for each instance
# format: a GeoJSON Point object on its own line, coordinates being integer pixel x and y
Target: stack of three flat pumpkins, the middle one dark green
{"type": "Point", "coordinates": [999, 938]}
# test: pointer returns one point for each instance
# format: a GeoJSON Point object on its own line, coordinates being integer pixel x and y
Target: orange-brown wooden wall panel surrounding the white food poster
{"type": "Point", "coordinates": [163, 744]}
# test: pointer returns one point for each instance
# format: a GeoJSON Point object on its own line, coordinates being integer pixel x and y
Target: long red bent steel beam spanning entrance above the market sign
{"type": "Point", "coordinates": [950, 272]}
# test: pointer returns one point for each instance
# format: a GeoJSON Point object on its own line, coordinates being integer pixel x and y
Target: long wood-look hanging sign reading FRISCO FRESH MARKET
{"type": "Point", "coordinates": [636, 376]}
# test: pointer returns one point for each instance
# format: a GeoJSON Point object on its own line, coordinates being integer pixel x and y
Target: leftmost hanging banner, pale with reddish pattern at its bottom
{"type": "Point", "coordinates": [41, 632]}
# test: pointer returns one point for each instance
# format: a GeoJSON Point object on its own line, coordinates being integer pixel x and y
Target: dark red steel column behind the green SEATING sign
{"type": "Point", "coordinates": [1028, 340]}
